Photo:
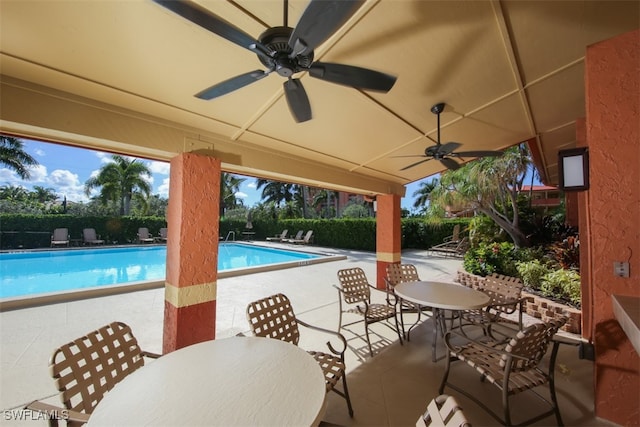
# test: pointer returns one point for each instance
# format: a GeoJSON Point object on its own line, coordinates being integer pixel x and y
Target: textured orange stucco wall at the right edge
{"type": "Point", "coordinates": [613, 136]}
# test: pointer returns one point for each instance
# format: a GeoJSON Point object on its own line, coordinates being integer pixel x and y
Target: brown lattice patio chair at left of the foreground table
{"type": "Point", "coordinates": [85, 369]}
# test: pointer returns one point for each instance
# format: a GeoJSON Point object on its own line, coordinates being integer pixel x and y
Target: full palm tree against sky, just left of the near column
{"type": "Point", "coordinates": [120, 181]}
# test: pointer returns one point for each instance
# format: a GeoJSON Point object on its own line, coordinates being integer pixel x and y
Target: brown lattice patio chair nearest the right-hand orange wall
{"type": "Point", "coordinates": [513, 368]}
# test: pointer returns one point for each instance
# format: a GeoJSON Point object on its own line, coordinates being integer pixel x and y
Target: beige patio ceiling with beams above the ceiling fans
{"type": "Point", "coordinates": [121, 76]}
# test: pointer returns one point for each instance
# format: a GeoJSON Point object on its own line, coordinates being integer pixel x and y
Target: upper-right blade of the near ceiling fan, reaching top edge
{"type": "Point", "coordinates": [319, 21]}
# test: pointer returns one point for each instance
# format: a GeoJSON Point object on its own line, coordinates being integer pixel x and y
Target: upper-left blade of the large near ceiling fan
{"type": "Point", "coordinates": [213, 23]}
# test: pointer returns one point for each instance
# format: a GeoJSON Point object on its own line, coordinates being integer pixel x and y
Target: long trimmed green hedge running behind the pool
{"type": "Point", "coordinates": [32, 231]}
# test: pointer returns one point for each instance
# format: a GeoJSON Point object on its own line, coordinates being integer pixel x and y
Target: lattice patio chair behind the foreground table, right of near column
{"type": "Point", "coordinates": [273, 317]}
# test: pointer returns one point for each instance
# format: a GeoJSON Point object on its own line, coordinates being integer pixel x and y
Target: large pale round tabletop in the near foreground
{"type": "Point", "coordinates": [237, 381]}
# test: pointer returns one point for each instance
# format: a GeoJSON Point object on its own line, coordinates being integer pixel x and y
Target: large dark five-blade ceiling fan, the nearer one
{"type": "Point", "coordinates": [288, 51]}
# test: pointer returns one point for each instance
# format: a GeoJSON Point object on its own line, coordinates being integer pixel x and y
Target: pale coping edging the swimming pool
{"type": "Point", "coordinates": [18, 302]}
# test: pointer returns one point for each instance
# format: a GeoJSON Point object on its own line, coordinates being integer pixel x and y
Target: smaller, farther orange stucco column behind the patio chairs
{"type": "Point", "coordinates": [388, 235]}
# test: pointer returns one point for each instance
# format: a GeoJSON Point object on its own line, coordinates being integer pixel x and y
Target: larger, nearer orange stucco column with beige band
{"type": "Point", "coordinates": [192, 251]}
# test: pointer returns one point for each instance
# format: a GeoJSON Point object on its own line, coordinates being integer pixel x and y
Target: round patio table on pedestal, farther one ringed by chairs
{"type": "Point", "coordinates": [441, 296]}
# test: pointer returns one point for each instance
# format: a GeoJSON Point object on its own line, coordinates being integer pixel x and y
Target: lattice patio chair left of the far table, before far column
{"type": "Point", "coordinates": [355, 293]}
